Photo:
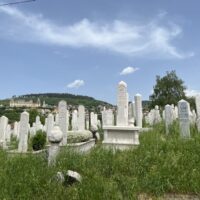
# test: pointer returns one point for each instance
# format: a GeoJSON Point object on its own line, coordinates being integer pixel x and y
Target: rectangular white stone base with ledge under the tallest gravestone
{"type": "Point", "coordinates": [121, 137]}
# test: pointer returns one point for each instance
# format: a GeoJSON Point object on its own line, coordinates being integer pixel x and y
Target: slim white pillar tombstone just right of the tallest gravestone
{"type": "Point", "coordinates": [138, 110]}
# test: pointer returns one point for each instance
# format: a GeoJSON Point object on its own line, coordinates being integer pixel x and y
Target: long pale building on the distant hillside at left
{"type": "Point", "coordinates": [23, 103]}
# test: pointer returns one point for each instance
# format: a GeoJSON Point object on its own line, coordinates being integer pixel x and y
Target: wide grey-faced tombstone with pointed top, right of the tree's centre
{"type": "Point", "coordinates": [184, 119]}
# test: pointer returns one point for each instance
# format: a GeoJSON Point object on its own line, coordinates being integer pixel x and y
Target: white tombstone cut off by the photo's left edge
{"type": "Point", "coordinates": [3, 127]}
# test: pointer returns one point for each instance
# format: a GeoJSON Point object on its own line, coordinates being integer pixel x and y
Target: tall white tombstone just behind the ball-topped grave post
{"type": "Point", "coordinates": [62, 113]}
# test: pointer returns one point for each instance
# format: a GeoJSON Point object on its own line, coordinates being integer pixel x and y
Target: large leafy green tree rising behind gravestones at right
{"type": "Point", "coordinates": [169, 89]}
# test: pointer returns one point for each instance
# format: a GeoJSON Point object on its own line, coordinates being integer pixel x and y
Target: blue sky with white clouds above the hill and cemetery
{"type": "Point", "coordinates": [87, 47]}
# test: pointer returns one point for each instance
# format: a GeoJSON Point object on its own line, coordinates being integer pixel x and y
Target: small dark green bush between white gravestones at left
{"type": "Point", "coordinates": [38, 141]}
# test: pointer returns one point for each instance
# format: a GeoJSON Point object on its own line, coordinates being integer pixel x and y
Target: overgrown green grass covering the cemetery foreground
{"type": "Point", "coordinates": [161, 164]}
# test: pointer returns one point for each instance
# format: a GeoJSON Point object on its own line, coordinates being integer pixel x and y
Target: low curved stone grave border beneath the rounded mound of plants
{"type": "Point", "coordinates": [81, 147]}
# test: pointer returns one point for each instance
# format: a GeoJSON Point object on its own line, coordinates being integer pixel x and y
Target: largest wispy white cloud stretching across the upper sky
{"type": "Point", "coordinates": [118, 36]}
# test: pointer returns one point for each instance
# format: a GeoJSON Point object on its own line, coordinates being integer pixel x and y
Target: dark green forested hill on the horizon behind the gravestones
{"type": "Point", "coordinates": [53, 99]}
